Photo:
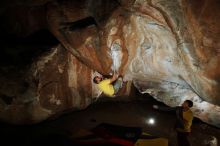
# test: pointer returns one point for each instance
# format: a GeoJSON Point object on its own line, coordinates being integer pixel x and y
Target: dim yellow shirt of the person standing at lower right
{"type": "Point", "coordinates": [187, 121]}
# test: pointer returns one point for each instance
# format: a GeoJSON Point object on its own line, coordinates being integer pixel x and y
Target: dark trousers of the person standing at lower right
{"type": "Point", "coordinates": [182, 138]}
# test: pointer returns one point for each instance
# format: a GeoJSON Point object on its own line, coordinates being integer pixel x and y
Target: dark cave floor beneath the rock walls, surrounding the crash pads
{"type": "Point", "coordinates": [124, 111]}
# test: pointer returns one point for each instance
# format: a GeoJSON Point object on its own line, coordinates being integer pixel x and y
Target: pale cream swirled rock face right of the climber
{"type": "Point", "coordinates": [167, 63]}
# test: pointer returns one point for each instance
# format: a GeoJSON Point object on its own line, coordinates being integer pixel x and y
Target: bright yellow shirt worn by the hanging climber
{"type": "Point", "coordinates": [106, 87]}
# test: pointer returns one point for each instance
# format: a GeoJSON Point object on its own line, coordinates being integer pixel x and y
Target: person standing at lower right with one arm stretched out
{"type": "Point", "coordinates": [184, 117]}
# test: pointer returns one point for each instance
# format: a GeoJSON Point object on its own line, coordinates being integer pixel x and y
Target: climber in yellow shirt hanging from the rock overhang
{"type": "Point", "coordinates": [109, 86]}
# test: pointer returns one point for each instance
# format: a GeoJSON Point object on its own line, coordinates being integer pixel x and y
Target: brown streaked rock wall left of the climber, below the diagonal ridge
{"type": "Point", "coordinates": [56, 82]}
